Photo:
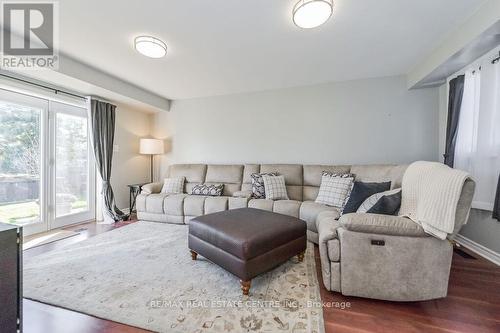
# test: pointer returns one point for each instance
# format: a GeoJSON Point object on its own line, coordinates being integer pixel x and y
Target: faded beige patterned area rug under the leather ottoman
{"type": "Point", "coordinates": [142, 275]}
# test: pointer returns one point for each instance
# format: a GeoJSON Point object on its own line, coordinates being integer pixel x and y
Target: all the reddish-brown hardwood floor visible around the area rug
{"type": "Point", "coordinates": [472, 305]}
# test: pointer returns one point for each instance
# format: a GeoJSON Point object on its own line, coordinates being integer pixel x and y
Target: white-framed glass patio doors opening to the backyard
{"type": "Point", "coordinates": [47, 175]}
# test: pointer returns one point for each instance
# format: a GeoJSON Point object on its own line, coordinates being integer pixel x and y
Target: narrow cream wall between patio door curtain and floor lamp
{"type": "Point", "coordinates": [129, 166]}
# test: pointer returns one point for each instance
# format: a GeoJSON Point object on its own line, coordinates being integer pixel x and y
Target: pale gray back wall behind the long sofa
{"type": "Point", "coordinates": [364, 121]}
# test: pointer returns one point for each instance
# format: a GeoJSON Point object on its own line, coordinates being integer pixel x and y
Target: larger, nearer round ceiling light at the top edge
{"type": "Point", "coordinates": [312, 13]}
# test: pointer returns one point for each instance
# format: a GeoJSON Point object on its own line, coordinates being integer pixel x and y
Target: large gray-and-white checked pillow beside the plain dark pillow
{"type": "Point", "coordinates": [334, 189]}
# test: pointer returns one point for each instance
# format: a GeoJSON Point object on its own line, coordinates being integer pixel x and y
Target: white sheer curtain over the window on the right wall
{"type": "Point", "coordinates": [478, 140]}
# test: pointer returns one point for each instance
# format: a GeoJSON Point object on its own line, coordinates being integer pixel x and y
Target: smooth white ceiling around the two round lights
{"type": "Point", "coordinates": [221, 47]}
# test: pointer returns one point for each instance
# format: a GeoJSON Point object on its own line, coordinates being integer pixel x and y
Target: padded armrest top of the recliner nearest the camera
{"type": "Point", "coordinates": [381, 224]}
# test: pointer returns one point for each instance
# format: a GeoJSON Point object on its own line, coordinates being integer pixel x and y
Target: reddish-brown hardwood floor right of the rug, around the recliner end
{"type": "Point", "coordinates": [472, 305]}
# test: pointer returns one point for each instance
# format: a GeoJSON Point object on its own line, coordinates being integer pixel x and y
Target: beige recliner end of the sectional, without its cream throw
{"type": "Point", "coordinates": [387, 257]}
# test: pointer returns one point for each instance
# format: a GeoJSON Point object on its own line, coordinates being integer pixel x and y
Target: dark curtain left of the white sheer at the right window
{"type": "Point", "coordinates": [454, 104]}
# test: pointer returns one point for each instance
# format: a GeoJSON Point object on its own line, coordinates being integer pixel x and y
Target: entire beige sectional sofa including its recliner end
{"type": "Point", "coordinates": [366, 255]}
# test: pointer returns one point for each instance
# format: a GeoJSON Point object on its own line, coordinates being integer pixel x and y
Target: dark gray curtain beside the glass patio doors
{"type": "Point", "coordinates": [102, 117]}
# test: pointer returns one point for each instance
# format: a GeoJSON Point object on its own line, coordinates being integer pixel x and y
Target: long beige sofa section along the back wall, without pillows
{"type": "Point", "coordinates": [302, 182]}
